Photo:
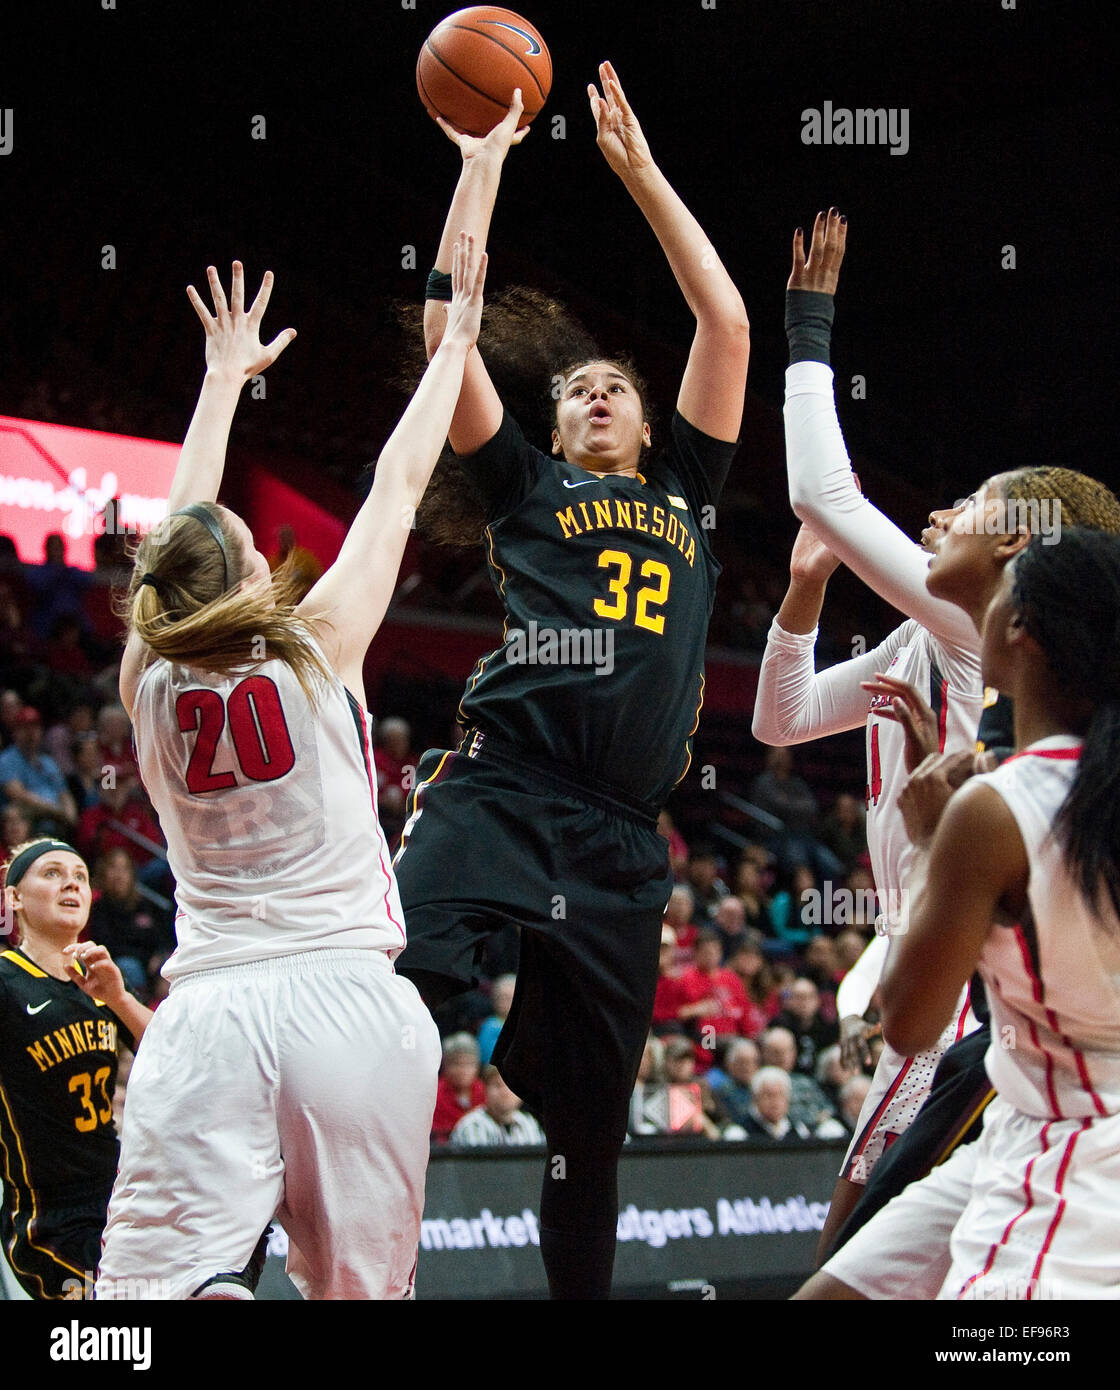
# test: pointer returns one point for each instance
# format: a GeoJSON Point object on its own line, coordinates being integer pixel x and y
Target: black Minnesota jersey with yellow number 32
{"type": "Point", "coordinates": [608, 586]}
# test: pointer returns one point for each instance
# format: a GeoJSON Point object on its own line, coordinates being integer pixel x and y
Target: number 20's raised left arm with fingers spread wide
{"type": "Point", "coordinates": [234, 357]}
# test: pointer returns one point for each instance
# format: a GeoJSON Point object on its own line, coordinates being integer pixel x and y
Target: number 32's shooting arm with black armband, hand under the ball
{"type": "Point", "coordinates": [479, 411]}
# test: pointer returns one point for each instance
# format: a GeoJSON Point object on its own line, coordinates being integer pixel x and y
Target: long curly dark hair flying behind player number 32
{"type": "Point", "coordinates": [532, 344]}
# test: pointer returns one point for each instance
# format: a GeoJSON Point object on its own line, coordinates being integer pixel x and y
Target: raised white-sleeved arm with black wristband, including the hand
{"type": "Point", "coordinates": [822, 486]}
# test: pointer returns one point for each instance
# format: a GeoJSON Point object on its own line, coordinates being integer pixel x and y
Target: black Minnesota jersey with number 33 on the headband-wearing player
{"type": "Point", "coordinates": [58, 1075]}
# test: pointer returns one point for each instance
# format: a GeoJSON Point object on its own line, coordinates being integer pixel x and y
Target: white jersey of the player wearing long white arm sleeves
{"type": "Point", "coordinates": [950, 680]}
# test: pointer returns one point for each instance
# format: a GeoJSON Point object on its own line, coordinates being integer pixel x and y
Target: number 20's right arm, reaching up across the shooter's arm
{"type": "Point", "coordinates": [348, 604]}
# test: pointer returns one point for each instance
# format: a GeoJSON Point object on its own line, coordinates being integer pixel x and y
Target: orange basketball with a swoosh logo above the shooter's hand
{"type": "Point", "coordinates": [472, 63]}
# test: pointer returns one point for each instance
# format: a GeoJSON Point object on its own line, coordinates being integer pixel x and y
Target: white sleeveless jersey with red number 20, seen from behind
{"type": "Point", "coordinates": [270, 814]}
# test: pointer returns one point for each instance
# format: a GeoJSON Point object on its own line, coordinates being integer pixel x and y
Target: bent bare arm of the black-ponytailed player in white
{"type": "Point", "coordinates": [976, 867]}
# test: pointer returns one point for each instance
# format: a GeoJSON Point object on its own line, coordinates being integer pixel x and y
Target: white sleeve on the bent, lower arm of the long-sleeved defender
{"type": "Point", "coordinates": [794, 704]}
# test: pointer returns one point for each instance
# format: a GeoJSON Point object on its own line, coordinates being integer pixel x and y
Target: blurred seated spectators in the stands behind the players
{"type": "Point", "coordinates": [746, 1032]}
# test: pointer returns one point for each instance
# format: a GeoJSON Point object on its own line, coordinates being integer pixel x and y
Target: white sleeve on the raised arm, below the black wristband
{"type": "Point", "coordinates": [825, 496]}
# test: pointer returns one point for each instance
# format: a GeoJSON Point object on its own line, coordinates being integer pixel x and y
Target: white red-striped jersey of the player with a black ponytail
{"type": "Point", "coordinates": [1054, 981]}
